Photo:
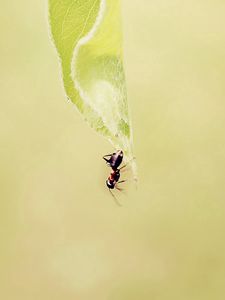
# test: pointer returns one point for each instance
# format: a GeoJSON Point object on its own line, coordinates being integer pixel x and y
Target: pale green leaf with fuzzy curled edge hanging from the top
{"type": "Point", "coordinates": [88, 37]}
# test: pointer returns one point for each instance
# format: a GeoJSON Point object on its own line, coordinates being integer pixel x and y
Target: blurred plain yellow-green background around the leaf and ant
{"type": "Point", "coordinates": [62, 236]}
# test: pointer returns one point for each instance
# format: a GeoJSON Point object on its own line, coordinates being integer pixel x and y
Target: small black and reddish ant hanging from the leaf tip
{"type": "Point", "coordinates": [114, 161]}
